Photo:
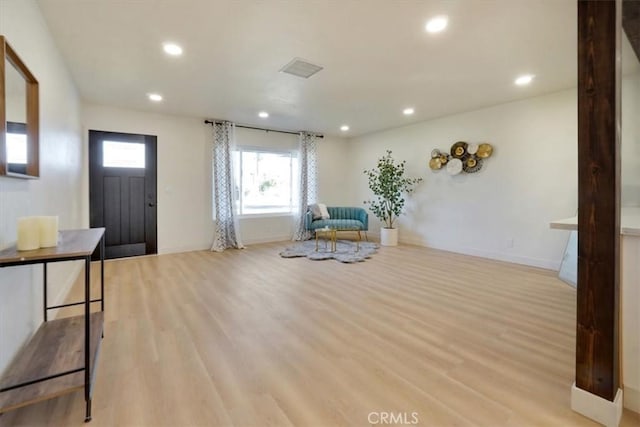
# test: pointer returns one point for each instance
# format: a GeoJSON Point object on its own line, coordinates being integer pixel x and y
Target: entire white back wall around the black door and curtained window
{"type": "Point", "coordinates": [184, 175]}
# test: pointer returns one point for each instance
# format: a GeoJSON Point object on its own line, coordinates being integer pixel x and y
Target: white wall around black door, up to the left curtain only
{"type": "Point", "coordinates": [184, 171]}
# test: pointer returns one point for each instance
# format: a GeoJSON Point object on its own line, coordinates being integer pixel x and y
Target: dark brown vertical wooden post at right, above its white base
{"type": "Point", "coordinates": [597, 369]}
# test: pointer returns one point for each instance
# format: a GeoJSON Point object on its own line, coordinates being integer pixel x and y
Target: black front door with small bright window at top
{"type": "Point", "coordinates": [122, 191]}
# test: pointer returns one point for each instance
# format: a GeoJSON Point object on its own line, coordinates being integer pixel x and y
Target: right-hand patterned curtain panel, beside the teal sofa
{"type": "Point", "coordinates": [308, 182]}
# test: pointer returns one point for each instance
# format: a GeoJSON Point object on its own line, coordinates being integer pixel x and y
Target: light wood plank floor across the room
{"type": "Point", "coordinates": [246, 338]}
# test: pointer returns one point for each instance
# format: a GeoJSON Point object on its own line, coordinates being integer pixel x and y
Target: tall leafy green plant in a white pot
{"type": "Point", "coordinates": [389, 185]}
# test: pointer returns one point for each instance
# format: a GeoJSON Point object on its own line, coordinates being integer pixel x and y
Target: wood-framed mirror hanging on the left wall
{"type": "Point", "coordinates": [19, 116]}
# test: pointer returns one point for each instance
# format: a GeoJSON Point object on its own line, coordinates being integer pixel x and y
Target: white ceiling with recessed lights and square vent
{"type": "Point", "coordinates": [377, 58]}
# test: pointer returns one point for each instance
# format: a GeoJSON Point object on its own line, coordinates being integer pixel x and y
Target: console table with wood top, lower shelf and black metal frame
{"type": "Point", "coordinates": [61, 356]}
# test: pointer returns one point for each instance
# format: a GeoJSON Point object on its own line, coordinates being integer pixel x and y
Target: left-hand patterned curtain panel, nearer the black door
{"type": "Point", "coordinates": [226, 221]}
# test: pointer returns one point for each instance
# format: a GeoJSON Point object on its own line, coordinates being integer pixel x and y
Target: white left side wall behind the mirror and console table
{"type": "Point", "coordinates": [57, 192]}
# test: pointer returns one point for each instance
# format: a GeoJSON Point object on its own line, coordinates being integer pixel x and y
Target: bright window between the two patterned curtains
{"type": "Point", "coordinates": [265, 180]}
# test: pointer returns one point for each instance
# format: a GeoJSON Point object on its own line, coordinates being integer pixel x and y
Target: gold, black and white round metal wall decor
{"type": "Point", "coordinates": [463, 157]}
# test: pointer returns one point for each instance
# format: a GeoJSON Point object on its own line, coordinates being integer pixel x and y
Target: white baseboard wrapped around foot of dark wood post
{"type": "Point", "coordinates": [595, 407]}
